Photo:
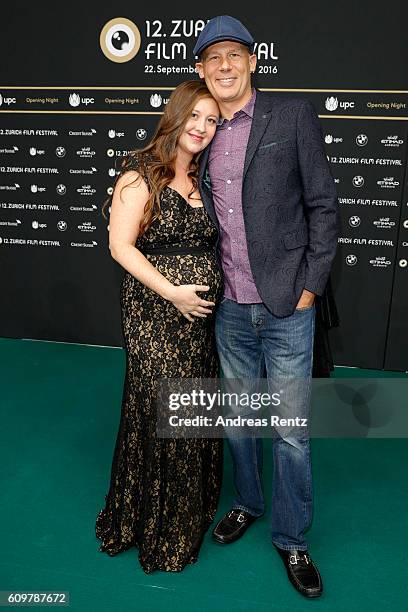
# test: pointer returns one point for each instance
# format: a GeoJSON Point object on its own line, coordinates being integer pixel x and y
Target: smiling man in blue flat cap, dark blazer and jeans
{"type": "Point", "coordinates": [266, 183]}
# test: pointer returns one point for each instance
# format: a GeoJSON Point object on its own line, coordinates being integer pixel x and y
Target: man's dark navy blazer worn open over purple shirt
{"type": "Point", "coordinates": [289, 202]}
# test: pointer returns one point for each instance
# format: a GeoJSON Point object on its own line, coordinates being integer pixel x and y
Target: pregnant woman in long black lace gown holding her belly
{"type": "Point", "coordinates": [163, 492]}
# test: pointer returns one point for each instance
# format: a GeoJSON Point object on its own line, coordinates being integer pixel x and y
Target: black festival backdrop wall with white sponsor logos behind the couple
{"type": "Point", "coordinates": [80, 87]}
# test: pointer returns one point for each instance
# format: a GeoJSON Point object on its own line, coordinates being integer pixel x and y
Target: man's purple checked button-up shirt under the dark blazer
{"type": "Point", "coordinates": [226, 167]}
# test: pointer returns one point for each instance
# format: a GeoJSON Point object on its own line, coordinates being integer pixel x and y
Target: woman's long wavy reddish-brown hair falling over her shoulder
{"type": "Point", "coordinates": [156, 162]}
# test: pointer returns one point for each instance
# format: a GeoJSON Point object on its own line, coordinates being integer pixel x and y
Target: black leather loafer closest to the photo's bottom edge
{"type": "Point", "coordinates": [302, 572]}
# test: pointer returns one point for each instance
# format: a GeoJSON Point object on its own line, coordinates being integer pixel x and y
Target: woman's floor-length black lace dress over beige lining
{"type": "Point", "coordinates": [163, 492]}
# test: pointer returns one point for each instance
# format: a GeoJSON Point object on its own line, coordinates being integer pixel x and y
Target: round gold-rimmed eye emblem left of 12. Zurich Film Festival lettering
{"type": "Point", "coordinates": [120, 40]}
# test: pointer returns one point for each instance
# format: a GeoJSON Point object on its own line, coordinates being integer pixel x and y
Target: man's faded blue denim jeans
{"type": "Point", "coordinates": [251, 340]}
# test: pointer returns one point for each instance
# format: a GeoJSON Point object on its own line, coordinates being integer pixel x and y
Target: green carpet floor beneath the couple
{"type": "Point", "coordinates": [60, 406]}
